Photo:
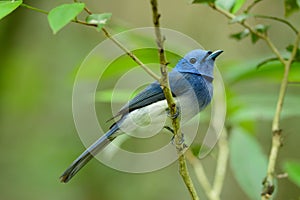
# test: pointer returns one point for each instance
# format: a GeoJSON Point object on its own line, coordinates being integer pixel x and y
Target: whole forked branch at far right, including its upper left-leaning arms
{"type": "Point", "coordinates": [268, 182]}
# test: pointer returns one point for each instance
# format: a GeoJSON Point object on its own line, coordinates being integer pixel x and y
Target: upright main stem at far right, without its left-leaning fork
{"type": "Point", "coordinates": [277, 132]}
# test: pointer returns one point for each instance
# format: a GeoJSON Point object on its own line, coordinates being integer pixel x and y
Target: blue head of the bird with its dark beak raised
{"type": "Point", "coordinates": [198, 62]}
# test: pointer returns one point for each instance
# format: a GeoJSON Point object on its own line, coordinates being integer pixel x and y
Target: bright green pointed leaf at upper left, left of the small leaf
{"type": "Point", "coordinates": [61, 15]}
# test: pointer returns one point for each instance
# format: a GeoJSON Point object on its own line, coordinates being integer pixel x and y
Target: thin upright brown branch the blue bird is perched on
{"type": "Point", "coordinates": [164, 82]}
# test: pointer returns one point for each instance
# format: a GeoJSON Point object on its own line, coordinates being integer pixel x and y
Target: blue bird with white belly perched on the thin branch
{"type": "Point", "coordinates": [191, 86]}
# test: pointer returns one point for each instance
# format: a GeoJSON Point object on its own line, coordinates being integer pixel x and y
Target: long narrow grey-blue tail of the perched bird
{"type": "Point", "coordinates": [88, 154]}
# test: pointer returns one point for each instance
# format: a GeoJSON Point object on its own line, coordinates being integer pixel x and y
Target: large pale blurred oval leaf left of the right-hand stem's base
{"type": "Point", "coordinates": [248, 162]}
